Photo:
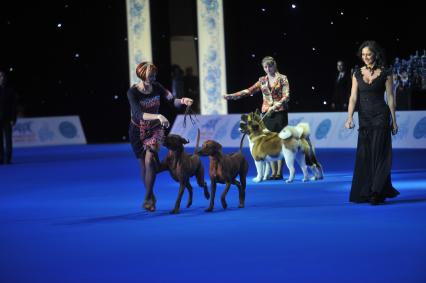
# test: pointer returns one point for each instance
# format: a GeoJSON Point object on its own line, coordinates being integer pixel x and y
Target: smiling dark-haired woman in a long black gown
{"type": "Point", "coordinates": [371, 180]}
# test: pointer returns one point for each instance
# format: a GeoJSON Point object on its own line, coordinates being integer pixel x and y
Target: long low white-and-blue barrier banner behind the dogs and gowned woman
{"type": "Point", "coordinates": [327, 129]}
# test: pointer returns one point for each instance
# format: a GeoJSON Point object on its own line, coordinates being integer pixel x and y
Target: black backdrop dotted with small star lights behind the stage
{"type": "Point", "coordinates": [70, 57]}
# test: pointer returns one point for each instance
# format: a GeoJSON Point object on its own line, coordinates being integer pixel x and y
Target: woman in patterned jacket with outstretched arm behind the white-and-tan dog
{"type": "Point", "coordinates": [276, 95]}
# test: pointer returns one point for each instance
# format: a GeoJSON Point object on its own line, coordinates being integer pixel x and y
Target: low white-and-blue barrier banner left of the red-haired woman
{"type": "Point", "coordinates": [48, 131]}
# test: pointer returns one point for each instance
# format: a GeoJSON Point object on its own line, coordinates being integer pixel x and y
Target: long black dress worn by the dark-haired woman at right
{"type": "Point", "coordinates": [374, 150]}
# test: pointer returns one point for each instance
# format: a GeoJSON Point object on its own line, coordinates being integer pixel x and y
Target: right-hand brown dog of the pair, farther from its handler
{"type": "Point", "coordinates": [224, 168]}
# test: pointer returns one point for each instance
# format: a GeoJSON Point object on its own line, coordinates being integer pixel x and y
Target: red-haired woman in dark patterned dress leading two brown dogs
{"type": "Point", "coordinates": [146, 130]}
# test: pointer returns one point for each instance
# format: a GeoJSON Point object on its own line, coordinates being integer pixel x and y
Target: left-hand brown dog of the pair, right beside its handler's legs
{"type": "Point", "coordinates": [182, 166]}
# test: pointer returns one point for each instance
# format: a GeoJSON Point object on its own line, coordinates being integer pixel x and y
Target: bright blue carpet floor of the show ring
{"type": "Point", "coordinates": [72, 214]}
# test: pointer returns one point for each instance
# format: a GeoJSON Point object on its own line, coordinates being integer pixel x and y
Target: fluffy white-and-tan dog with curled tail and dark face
{"type": "Point", "coordinates": [292, 144]}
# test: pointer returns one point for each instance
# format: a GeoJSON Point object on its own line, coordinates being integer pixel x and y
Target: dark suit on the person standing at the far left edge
{"type": "Point", "coordinates": [7, 119]}
